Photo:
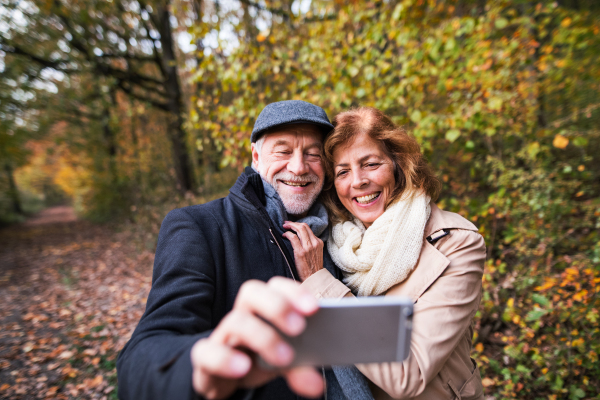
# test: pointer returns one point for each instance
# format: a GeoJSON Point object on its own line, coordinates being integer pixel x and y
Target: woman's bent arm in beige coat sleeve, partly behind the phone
{"type": "Point", "coordinates": [442, 315]}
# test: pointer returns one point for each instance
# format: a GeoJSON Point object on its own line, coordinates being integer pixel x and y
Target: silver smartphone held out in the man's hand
{"type": "Point", "coordinates": [355, 330]}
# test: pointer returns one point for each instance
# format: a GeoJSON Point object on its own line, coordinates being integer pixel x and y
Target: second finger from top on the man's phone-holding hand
{"type": "Point", "coordinates": [246, 330]}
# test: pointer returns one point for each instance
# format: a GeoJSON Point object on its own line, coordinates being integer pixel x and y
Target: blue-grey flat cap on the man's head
{"type": "Point", "coordinates": [289, 112]}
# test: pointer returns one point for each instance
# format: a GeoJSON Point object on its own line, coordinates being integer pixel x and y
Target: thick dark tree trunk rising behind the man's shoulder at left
{"type": "Point", "coordinates": [181, 159]}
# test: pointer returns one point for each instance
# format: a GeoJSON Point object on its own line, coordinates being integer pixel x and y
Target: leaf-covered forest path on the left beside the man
{"type": "Point", "coordinates": [71, 294]}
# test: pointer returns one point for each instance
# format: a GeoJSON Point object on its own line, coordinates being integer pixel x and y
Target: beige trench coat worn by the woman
{"type": "Point", "coordinates": [446, 288]}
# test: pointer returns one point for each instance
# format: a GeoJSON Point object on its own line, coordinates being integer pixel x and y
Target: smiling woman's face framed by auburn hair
{"type": "Point", "coordinates": [363, 178]}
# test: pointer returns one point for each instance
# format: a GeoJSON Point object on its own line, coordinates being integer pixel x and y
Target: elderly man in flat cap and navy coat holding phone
{"type": "Point", "coordinates": [213, 286]}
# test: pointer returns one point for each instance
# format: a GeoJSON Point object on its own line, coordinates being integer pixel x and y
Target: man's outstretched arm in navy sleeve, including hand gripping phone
{"type": "Point", "coordinates": [174, 354]}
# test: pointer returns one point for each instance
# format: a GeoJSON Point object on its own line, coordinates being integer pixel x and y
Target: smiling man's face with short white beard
{"type": "Point", "coordinates": [291, 161]}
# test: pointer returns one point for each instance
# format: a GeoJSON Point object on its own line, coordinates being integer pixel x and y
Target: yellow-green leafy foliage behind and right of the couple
{"type": "Point", "coordinates": [485, 93]}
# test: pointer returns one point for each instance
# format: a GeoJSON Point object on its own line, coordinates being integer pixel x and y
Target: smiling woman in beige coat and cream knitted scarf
{"type": "Point", "coordinates": [389, 238]}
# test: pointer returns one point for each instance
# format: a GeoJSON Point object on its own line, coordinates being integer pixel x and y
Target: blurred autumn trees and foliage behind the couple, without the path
{"type": "Point", "coordinates": [128, 108]}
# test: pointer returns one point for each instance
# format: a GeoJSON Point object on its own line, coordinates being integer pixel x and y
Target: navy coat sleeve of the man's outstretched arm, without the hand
{"type": "Point", "coordinates": [155, 364]}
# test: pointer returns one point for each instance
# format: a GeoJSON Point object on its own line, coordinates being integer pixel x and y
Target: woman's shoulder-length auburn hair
{"type": "Point", "coordinates": [411, 170]}
